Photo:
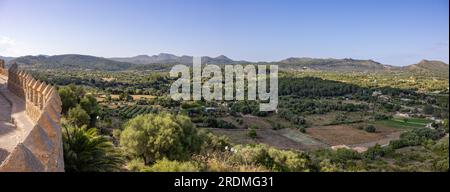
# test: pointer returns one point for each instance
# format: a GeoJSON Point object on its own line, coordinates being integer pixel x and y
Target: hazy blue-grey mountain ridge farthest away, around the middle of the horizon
{"type": "Point", "coordinates": [165, 58]}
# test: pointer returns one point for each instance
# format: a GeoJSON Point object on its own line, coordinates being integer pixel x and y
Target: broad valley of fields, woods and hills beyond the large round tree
{"type": "Point", "coordinates": [359, 117]}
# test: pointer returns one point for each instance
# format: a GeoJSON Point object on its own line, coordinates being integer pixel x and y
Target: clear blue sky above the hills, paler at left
{"type": "Point", "coordinates": [395, 32]}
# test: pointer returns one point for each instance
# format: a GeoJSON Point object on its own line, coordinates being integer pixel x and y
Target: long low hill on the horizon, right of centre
{"type": "Point", "coordinates": [331, 64]}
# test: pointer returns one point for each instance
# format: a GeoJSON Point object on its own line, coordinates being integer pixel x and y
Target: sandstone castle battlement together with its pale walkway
{"type": "Point", "coordinates": [35, 110]}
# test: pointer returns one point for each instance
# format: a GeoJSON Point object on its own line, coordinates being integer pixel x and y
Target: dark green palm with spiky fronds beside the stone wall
{"type": "Point", "coordinates": [86, 151]}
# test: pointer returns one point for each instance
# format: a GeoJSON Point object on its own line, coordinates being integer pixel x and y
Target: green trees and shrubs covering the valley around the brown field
{"type": "Point", "coordinates": [126, 121]}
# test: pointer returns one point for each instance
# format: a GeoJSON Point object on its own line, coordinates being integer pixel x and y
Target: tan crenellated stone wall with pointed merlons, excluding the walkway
{"type": "Point", "coordinates": [41, 149]}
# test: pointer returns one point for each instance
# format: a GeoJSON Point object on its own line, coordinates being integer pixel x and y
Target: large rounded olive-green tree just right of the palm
{"type": "Point", "coordinates": [156, 136]}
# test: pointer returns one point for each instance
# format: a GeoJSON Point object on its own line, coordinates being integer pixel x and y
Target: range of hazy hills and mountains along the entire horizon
{"type": "Point", "coordinates": [164, 61]}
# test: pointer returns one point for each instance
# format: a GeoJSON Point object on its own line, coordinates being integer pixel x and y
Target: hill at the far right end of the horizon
{"type": "Point", "coordinates": [430, 67]}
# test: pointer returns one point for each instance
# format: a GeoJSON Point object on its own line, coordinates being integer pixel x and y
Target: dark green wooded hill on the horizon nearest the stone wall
{"type": "Point", "coordinates": [72, 61]}
